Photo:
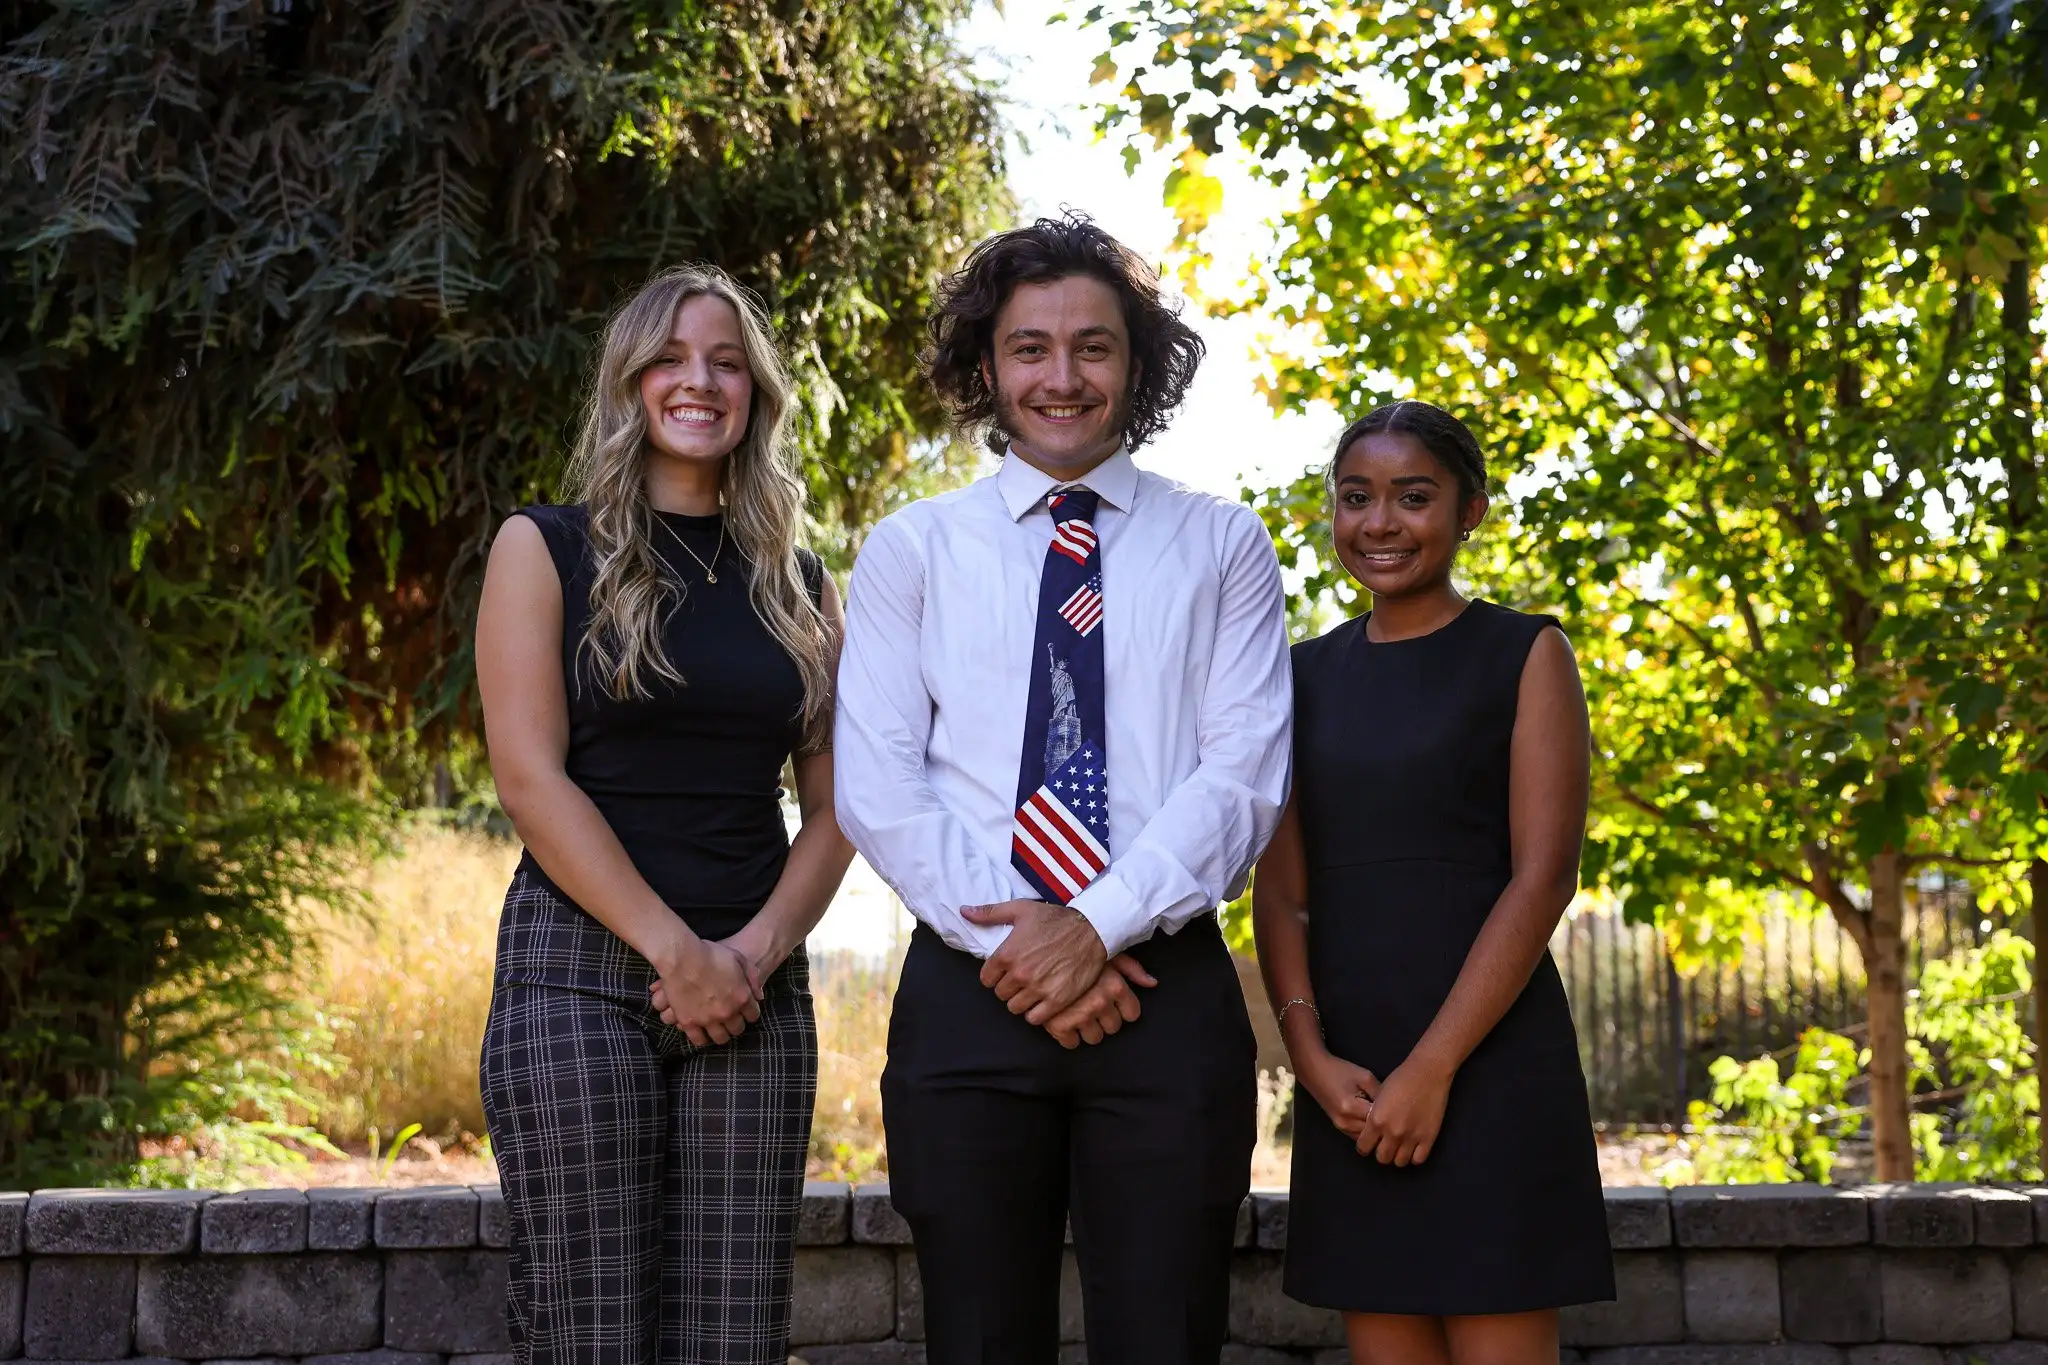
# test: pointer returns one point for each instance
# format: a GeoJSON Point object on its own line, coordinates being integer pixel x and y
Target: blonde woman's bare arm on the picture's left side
{"type": "Point", "coordinates": [527, 730]}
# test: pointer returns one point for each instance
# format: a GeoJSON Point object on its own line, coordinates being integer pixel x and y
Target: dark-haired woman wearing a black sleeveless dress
{"type": "Point", "coordinates": [1447, 1190]}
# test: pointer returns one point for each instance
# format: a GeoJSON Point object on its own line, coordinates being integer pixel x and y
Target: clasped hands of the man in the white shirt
{"type": "Point", "coordinates": [1056, 971]}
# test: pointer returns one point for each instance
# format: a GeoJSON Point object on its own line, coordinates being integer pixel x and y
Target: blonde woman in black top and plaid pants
{"type": "Point", "coordinates": [650, 656]}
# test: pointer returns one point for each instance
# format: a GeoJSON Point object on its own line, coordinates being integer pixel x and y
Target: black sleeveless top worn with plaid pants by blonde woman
{"type": "Point", "coordinates": [689, 779]}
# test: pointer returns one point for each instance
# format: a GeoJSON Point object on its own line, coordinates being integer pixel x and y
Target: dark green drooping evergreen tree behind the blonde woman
{"type": "Point", "coordinates": [296, 308]}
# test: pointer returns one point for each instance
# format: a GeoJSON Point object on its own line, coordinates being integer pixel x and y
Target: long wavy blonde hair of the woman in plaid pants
{"type": "Point", "coordinates": [630, 597]}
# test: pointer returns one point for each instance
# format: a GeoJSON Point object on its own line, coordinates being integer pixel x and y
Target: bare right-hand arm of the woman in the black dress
{"type": "Point", "coordinates": [1547, 797]}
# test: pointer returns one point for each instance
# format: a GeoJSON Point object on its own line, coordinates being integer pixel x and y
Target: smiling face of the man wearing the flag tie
{"type": "Point", "coordinates": [1062, 373]}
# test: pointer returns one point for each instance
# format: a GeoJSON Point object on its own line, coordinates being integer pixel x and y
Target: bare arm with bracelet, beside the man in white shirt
{"type": "Point", "coordinates": [1281, 926]}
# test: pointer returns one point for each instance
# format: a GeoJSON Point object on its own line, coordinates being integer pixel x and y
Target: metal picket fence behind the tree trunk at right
{"type": "Point", "coordinates": [1650, 1034]}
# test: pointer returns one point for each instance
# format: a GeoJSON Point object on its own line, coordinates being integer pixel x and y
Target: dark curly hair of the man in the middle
{"type": "Point", "coordinates": [1164, 349]}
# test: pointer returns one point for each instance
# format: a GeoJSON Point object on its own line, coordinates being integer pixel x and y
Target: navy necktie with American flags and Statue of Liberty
{"type": "Point", "coordinates": [1062, 832]}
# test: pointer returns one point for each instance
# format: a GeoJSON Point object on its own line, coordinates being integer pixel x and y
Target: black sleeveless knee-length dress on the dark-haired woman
{"type": "Point", "coordinates": [1402, 783]}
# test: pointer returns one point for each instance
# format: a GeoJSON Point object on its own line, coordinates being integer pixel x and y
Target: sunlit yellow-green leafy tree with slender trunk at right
{"type": "Point", "coordinates": [1744, 300]}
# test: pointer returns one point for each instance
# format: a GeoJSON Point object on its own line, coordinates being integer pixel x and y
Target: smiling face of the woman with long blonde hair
{"type": "Point", "coordinates": [699, 390]}
